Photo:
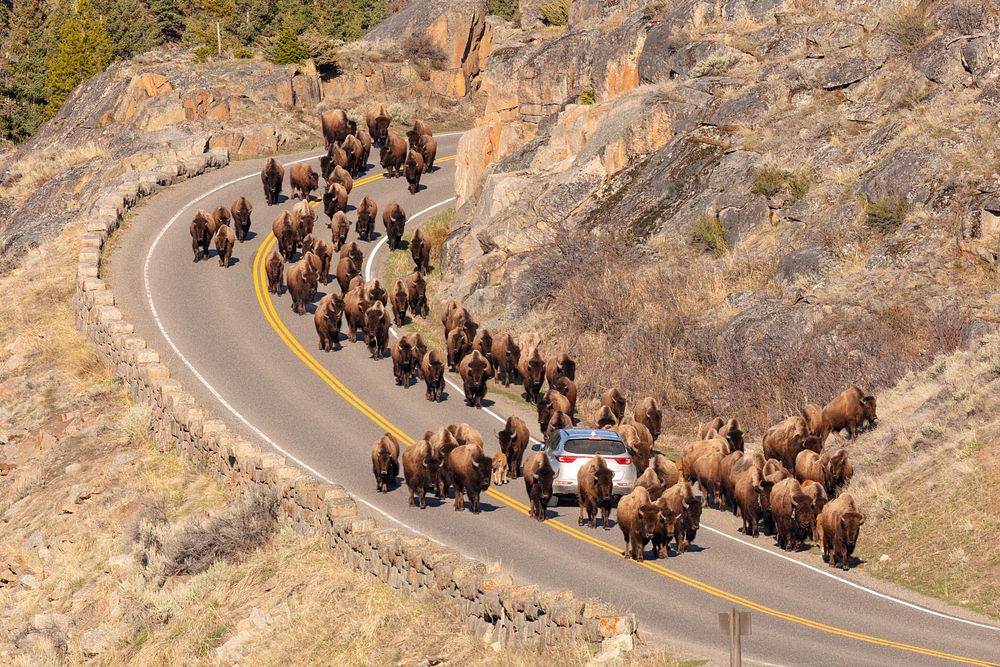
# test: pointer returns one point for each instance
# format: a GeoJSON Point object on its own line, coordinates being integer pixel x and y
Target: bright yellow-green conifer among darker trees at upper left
{"type": "Point", "coordinates": [84, 49]}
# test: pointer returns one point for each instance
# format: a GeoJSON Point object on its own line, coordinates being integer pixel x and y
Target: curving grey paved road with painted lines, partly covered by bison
{"type": "Point", "coordinates": [249, 358]}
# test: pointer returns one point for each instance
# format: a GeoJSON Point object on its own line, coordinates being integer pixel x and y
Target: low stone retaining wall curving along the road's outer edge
{"type": "Point", "coordinates": [495, 607]}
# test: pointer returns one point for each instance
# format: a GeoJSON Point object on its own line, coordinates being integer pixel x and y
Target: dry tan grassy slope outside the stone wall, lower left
{"type": "Point", "coordinates": [88, 492]}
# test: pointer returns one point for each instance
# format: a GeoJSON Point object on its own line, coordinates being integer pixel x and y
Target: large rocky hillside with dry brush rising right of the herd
{"type": "Point", "coordinates": [737, 206]}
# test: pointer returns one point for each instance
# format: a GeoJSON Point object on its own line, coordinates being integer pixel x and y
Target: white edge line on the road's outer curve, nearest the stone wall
{"type": "Point", "coordinates": [216, 394]}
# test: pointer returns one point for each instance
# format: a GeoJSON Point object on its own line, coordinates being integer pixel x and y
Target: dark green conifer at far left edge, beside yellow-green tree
{"type": "Point", "coordinates": [24, 90]}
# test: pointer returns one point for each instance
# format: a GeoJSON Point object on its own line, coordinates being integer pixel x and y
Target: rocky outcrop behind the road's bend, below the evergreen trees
{"type": "Point", "coordinates": [118, 128]}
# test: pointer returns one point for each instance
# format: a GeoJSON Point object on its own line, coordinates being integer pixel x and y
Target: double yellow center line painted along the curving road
{"type": "Point", "coordinates": [272, 317]}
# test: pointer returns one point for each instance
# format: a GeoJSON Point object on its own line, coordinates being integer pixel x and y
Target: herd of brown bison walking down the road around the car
{"type": "Point", "coordinates": [791, 486]}
